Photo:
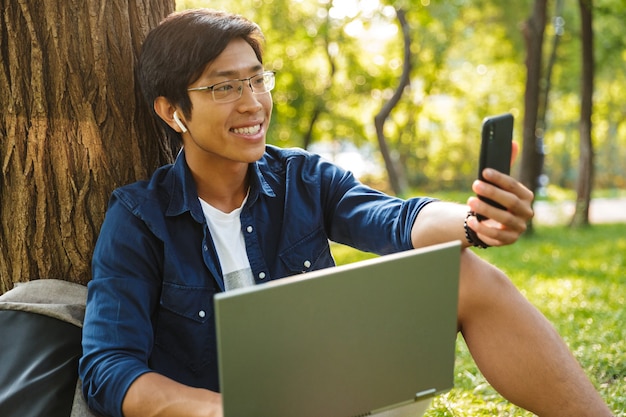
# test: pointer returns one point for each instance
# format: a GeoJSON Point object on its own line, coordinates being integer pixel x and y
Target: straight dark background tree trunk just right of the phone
{"type": "Point", "coordinates": [532, 151]}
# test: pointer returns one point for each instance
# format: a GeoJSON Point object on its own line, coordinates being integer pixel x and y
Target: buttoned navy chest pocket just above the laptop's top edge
{"type": "Point", "coordinates": [310, 253]}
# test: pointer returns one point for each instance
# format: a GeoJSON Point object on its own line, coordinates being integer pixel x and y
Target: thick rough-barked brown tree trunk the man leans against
{"type": "Point", "coordinates": [73, 127]}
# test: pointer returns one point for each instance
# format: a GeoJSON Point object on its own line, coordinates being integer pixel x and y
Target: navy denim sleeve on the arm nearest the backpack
{"type": "Point", "coordinates": [122, 296]}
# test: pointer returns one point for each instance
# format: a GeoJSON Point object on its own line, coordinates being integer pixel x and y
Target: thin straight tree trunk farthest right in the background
{"type": "Point", "coordinates": [585, 163]}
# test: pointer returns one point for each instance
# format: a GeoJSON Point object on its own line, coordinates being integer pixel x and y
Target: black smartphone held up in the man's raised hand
{"type": "Point", "coordinates": [495, 148]}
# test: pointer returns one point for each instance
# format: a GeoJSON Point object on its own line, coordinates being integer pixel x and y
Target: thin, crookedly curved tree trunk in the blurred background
{"type": "Point", "coordinates": [395, 178]}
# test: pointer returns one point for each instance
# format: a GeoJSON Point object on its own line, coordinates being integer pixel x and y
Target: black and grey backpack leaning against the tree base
{"type": "Point", "coordinates": [40, 344]}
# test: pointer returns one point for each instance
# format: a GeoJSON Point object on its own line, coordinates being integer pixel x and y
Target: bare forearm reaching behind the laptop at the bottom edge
{"type": "Point", "coordinates": [154, 395]}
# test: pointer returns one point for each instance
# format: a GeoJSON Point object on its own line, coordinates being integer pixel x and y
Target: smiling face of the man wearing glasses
{"type": "Point", "coordinates": [233, 131]}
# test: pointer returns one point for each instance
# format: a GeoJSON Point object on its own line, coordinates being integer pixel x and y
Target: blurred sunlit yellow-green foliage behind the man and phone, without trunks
{"type": "Point", "coordinates": [339, 61]}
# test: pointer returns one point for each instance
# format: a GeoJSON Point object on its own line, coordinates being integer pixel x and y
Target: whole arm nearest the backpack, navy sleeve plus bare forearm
{"type": "Point", "coordinates": [118, 331]}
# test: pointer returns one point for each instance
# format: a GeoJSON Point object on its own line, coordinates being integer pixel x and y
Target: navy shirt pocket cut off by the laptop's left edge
{"type": "Point", "coordinates": [185, 327]}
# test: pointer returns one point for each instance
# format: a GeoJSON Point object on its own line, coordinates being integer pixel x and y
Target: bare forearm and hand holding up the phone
{"type": "Point", "coordinates": [442, 222]}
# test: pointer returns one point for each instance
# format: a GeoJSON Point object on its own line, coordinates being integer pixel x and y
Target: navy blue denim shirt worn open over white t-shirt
{"type": "Point", "coordinates": [155, 269]}
